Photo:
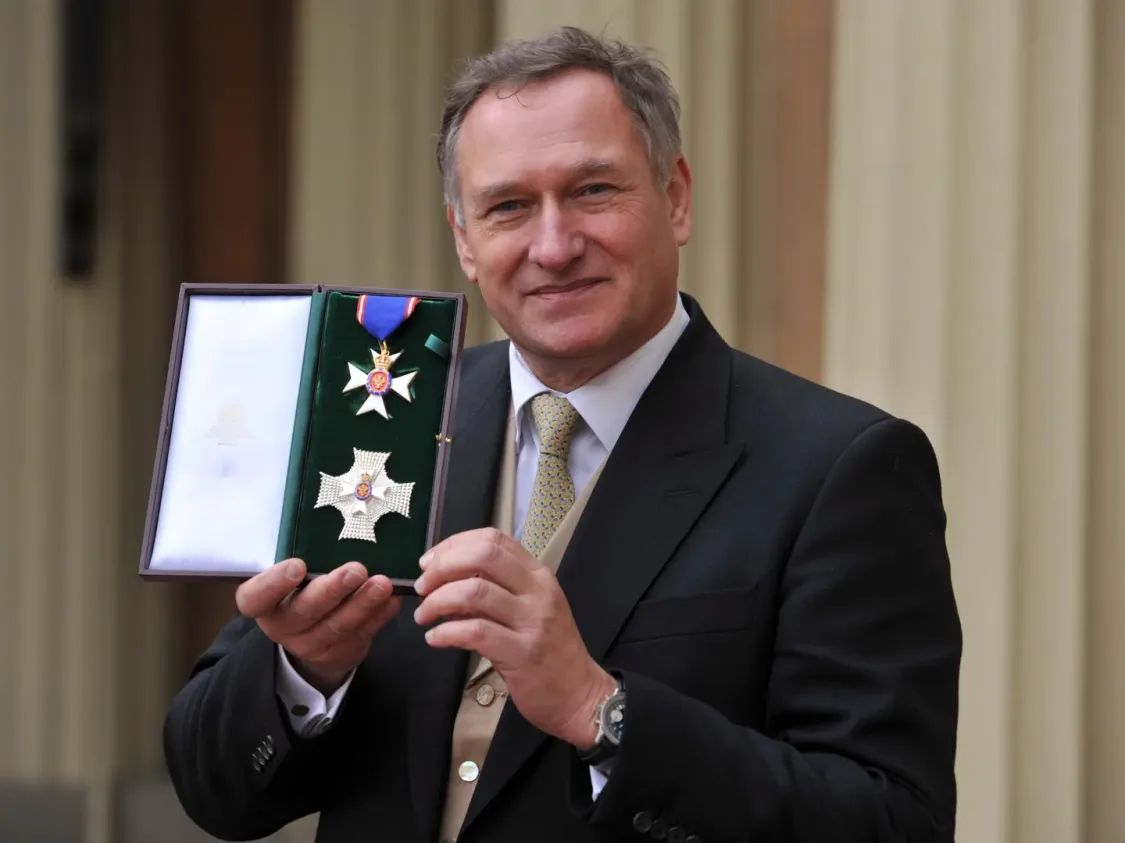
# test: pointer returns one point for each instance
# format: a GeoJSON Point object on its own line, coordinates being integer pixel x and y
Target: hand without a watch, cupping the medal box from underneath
{"type": "Point", "coordinates": [327, 627]}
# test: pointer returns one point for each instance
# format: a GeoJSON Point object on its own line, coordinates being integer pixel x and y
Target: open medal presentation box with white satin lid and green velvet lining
{"type": "Point", "coordinates": [307, 423]}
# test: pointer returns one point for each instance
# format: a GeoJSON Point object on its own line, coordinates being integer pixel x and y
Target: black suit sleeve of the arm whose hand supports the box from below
{"type": "Point", "coordinates": [238, 768]}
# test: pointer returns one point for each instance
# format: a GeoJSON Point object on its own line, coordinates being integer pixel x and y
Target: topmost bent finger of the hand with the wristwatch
{"type": "Point", "coordinates": [488, 554]}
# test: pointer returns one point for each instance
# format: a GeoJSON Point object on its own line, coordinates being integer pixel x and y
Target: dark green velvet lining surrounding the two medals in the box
{"type": "Point", "coordinates": [410, 436]}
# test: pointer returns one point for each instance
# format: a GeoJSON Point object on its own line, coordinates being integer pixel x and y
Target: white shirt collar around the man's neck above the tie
{"type": "Point", "coordinates": [607, 401]}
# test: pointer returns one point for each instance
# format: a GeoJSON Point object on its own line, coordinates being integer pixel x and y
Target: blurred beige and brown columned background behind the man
{"type": "Point", "coordinates": [917, 202]}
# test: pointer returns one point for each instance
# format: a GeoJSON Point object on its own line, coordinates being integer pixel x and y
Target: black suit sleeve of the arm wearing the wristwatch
{"type": "Point", "coordinates": [862, 710]}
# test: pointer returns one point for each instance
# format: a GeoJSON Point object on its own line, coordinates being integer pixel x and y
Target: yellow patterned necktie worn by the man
{"type": "Point", "coordinates": [553, 496]}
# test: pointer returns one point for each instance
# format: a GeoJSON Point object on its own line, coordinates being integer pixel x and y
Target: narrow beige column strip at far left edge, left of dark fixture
{"type": "Point", "coordinates": [31, 634]}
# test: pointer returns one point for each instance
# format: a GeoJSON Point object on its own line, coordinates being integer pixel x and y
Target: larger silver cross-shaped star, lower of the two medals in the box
{"type": "Point", "coordinates": [364, 495]}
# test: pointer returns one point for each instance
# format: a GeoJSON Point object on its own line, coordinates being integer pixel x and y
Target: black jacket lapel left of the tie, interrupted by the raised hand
{"type": "Point", "coordinates": [438, 675]}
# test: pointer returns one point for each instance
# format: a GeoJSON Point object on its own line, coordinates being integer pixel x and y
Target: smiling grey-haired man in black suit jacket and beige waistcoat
{"type": "Point", "coordinates": [682, 595]}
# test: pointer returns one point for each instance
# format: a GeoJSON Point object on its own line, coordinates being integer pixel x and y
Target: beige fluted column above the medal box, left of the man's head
{"type": "Point", "coordinates": [367, 207]}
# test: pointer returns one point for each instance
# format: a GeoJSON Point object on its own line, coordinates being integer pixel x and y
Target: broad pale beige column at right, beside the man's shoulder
{"type": "Point", "coordinates": [959, 297]}
